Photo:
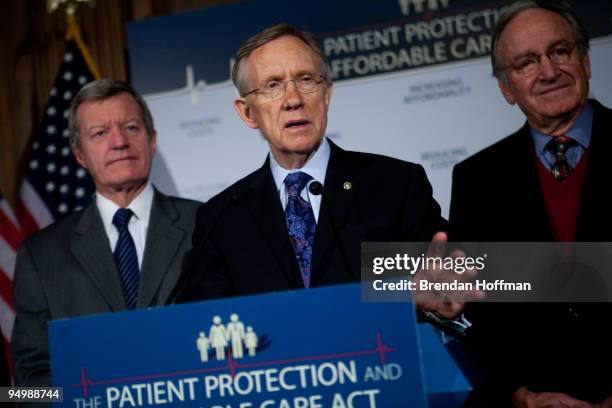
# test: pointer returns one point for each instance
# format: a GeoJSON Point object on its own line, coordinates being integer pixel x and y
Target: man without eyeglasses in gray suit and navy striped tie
{"type": "Point", "coordinates": [122, 252]}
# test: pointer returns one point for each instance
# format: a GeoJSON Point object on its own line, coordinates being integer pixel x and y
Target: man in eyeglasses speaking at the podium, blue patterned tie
{"type": "Point", "coordinates": [299, 220]}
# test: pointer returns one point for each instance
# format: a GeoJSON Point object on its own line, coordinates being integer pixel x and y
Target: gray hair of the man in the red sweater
{"type": "Point", "coordinates": [562, 8]}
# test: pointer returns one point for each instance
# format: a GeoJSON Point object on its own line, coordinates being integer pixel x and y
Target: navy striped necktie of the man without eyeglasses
{"type": "Point", "coordinates": [126, 257]}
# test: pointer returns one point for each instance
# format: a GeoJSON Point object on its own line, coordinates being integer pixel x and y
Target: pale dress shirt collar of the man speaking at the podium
{"type": "Point", "coordinates": [316, 167]}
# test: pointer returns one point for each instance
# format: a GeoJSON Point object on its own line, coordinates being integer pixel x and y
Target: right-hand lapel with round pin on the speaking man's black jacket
{"type": "Point", "coordinates": [339, 191]}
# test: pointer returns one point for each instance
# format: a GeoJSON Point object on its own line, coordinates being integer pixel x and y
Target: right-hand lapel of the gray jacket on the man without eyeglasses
{"type": "Point", "coordinates": [163, 242]}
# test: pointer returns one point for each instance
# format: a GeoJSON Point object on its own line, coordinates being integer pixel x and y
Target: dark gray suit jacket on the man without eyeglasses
{"type": "Point", "coordinates": [68, 269]}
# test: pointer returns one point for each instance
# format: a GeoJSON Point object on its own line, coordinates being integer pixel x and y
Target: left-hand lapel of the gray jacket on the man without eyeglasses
{"type": "Point", "coordinates": [89, 245]}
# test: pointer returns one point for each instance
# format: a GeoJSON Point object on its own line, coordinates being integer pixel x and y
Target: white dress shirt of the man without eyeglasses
{"type": "Point", "coordinates": [139, 222]}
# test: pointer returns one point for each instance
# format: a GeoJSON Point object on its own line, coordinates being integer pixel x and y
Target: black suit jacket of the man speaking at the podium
{"type": "Point", "coordinates": [241, 244]}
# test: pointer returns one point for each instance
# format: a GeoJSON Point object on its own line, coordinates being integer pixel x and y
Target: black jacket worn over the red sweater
{"type": "Point", "coordinates": [497, 197]}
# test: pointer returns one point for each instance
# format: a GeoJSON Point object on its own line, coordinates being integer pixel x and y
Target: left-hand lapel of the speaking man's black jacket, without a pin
{"type": "Point", "coordinates": [267, 213]}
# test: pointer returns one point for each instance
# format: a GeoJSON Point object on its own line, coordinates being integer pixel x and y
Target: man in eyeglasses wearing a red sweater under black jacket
{"type": "Point", "coordinates": [542, 183]}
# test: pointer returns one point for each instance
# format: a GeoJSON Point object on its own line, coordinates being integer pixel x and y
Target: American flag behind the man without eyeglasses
{"type": "Point", "coordinates": [54, 184]}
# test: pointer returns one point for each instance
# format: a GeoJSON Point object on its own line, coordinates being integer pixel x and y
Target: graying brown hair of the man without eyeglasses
{"type": "Point", "coordinates": [101, 90]}
